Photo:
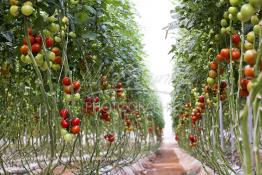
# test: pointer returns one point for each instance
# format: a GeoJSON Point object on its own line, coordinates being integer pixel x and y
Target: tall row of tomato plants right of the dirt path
{"type": "Point", "coordinates": [220, 121]}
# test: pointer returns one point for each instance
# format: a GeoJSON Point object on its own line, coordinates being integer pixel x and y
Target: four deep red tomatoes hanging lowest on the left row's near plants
{"type": "Point", "coordinates": [69, 123]}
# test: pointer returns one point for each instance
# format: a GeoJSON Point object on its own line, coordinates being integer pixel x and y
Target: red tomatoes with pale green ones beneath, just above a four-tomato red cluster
{"type": "Point", "coordinates": [71, 88]}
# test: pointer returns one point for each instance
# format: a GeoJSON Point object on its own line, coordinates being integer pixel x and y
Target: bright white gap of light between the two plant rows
{"type": "Point", "coordinates": [153, 16]}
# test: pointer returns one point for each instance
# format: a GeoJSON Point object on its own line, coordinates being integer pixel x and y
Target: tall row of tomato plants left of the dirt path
{"type": "Point", "coordinates": [75, 92]}
